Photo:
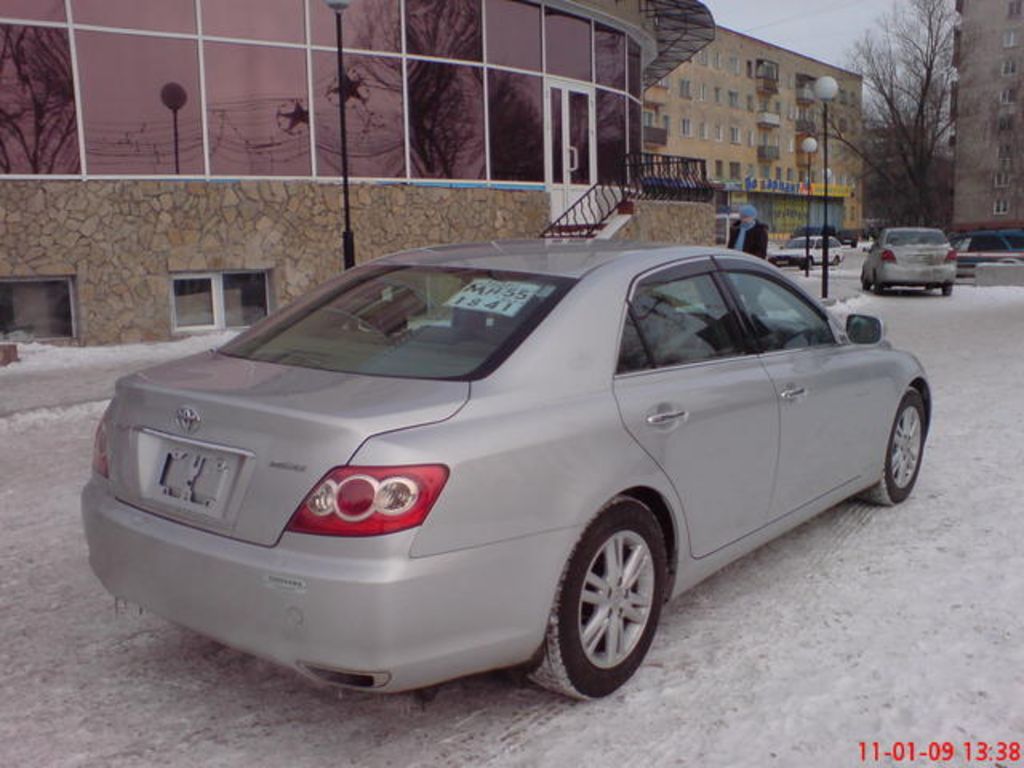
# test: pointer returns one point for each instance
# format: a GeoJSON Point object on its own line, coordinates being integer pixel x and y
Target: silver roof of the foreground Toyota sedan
{"type": "Point", "coordinates": [556, 258]}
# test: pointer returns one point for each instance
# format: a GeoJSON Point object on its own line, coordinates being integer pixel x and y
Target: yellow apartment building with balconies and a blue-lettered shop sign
{"type": "Point", "coordinates": [746, 106]}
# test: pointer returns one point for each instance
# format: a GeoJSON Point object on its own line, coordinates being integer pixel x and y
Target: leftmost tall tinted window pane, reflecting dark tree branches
{"type": "Point", "coordinates": [38, 125]}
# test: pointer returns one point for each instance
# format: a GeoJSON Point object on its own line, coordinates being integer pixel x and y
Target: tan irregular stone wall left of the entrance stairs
{"type": "Point", "coordinates": [120, 240]}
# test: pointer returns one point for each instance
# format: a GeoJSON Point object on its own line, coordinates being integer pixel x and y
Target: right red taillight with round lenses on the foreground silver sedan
{"type": "Point", "coordinates": [370, 501]}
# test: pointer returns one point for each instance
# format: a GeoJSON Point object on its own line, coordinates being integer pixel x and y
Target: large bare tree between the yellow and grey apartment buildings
{"type": "Point", "coordinates": [908, 66]}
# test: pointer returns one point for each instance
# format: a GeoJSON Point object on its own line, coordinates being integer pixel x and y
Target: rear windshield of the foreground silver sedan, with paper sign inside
{"type": "Point", "coordinates": [408, 322]}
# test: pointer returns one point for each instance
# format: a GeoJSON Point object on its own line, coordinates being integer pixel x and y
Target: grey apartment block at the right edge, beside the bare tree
{"type": "Point", "coordinates": [990, 60]}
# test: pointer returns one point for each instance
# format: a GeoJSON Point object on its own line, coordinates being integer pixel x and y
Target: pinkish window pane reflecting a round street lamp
{"type": "Point", "coordinates": [145, 118]}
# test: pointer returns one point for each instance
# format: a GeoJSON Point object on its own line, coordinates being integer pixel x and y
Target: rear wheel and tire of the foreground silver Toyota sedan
{"type": "Point", "coordinates": [620, 616]}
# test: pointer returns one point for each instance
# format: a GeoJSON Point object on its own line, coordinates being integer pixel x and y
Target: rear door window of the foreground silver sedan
{"type": "Point", "coordinates": [675, 322]}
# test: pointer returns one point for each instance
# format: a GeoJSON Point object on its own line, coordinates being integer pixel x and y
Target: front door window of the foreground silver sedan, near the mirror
{"type": "Point", "coordinates": [780, 318]}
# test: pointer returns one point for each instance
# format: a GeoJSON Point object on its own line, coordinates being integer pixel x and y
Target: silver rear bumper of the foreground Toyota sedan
{"type": "Point", "coordinates": [315, 603]}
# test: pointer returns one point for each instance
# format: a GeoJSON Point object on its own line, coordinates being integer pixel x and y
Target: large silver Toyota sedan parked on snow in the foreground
{"type": "Point", "coordinates": [511, 454]}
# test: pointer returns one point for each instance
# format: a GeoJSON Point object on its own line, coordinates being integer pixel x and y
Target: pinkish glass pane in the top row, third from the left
{"type": "Point", "coordinates": [282, 21]}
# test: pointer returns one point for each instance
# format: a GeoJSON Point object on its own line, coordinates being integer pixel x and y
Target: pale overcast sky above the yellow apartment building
{"type": "Point", "coordinates": [823, 29]}
